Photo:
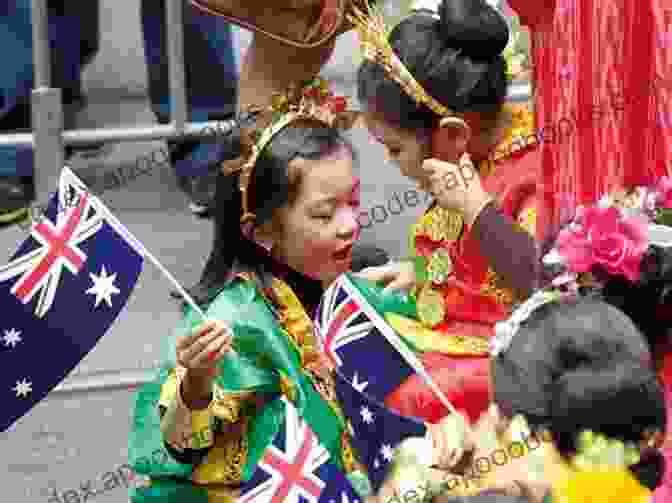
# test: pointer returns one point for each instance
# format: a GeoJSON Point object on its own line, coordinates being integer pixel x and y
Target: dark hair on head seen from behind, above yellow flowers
{"type": "Point", "coordinates": [583, 365]}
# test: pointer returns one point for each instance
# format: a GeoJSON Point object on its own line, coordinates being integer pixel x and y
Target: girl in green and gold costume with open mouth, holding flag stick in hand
{"type": "Point", "coordinates": [291, 223]}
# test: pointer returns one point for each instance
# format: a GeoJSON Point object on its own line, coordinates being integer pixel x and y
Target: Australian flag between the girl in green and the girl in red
{"type": "Point", "coordinates": [359, 342]}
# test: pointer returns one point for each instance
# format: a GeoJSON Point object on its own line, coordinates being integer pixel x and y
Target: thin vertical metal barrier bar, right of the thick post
{"type": "Point", "coordinates": [175, 42]}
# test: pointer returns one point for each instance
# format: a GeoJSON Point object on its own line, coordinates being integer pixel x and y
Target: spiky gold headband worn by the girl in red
{"type": "Point", "coordinates": [373, 35]}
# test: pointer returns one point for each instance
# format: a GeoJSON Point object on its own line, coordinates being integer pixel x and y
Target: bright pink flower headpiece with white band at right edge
{"type": "Point", "coordinates": [608, 239]}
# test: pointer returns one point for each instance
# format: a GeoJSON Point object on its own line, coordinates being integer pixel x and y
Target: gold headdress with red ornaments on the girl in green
{"type": "Point", "coordinates": [312, 100]}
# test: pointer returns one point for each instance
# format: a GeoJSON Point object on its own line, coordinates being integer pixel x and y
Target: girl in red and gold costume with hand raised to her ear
{"type": "Point", "coordinates": [436, 89]}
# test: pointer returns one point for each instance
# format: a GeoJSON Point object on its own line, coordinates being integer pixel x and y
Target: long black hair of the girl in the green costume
{"type": "Point", "coordinates": [272, 187]}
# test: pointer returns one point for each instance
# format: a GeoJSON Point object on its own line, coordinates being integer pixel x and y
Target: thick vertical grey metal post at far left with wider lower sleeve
{"type": "Point", "coordinates": [46, 107]}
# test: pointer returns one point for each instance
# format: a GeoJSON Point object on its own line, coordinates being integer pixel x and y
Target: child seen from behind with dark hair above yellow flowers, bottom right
{"type": "Point", "coordinates": [575, 367]}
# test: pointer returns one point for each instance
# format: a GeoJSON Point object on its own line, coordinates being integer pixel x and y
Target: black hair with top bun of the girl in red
{"type": "Point", "coordinates": [457, 59]}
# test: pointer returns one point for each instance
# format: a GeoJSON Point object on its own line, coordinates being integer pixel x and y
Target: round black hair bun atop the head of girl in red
{"type": "Point", "coordinates": [474, 27]}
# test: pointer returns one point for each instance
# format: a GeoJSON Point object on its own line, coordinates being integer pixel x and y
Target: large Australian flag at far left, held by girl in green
{"type": "Point", "coordinates": [60, 293]}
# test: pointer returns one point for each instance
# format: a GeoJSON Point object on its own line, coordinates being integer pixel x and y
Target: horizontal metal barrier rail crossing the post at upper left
{"type": "Point", "coordinates": [117, 135]}
